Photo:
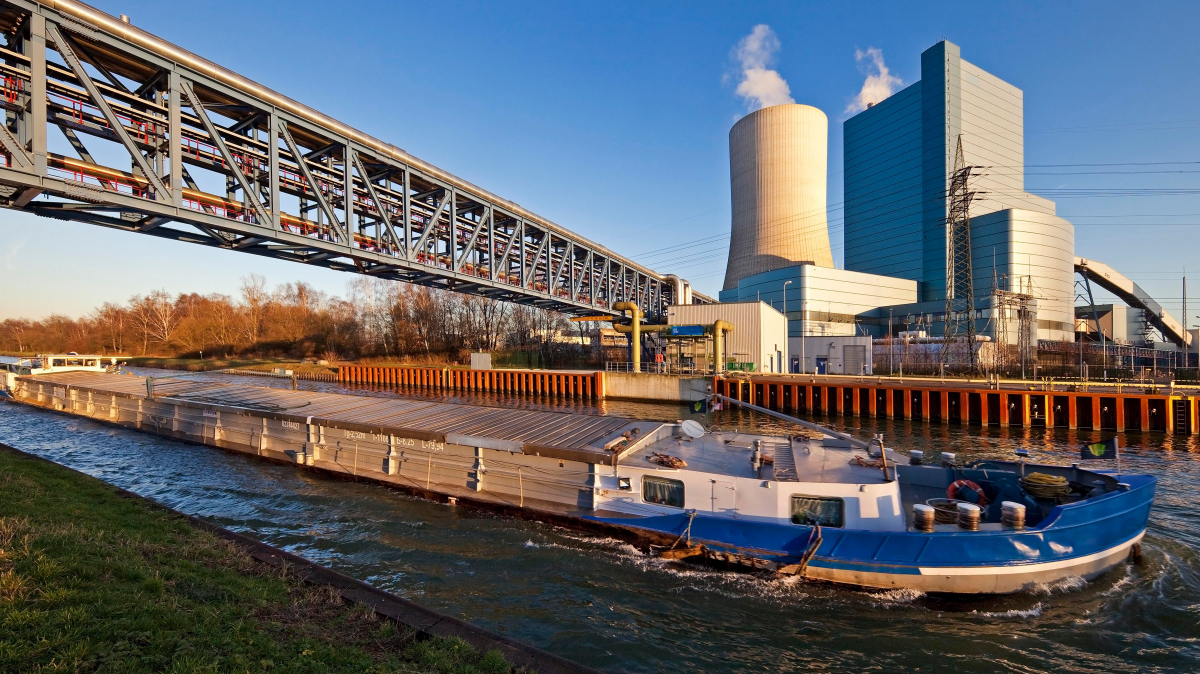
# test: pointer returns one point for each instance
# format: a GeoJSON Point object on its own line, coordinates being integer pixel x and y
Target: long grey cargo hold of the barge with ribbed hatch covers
{"type": "Point", "coordinates": [505, 458]}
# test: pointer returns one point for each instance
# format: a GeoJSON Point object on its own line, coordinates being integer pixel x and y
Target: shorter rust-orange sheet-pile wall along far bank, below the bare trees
{"type": "Point", "coordinates": [554, 383]}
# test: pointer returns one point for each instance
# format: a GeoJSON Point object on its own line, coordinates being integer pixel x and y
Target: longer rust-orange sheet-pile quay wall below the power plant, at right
{"type": "Point", "coordinates": [969, 405]}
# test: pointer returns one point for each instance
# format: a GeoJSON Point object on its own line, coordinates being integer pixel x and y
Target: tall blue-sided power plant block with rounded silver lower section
{"type": "Point", "coordinates": [899, 160]}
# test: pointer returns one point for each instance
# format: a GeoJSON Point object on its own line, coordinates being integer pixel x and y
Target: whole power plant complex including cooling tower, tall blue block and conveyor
{"type": "Point", "coordinates": [899, 159]}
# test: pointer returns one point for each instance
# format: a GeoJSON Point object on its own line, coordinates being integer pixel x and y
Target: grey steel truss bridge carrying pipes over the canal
{"type": "Point", "coordinates": [279, 178]}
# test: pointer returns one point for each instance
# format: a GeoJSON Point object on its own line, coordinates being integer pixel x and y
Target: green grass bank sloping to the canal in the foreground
{"type": "Point", "coordinates": [95, 582]}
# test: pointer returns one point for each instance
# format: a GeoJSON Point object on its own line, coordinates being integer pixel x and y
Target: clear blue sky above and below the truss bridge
{"type": "Point", "coordinates": [613, 119]}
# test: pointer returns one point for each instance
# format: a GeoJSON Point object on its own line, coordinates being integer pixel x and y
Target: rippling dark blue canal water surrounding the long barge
{"type": "Point", "coordinates": [603, 604]}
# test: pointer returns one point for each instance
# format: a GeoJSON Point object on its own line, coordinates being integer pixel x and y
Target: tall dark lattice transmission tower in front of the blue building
{"type": "Point", "coordinates": [959, 282]}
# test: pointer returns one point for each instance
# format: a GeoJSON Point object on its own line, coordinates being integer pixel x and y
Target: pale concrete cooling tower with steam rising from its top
{"type": "Point", "coordinates": [778, 182]}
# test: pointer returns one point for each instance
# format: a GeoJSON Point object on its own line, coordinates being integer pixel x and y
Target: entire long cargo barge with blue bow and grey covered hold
{"type": "Point", "coordinates": [818, 504]}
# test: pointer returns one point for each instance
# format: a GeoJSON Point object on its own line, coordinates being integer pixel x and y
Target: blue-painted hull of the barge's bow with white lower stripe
{"type": "Point", "coordinates": [1083, 539]}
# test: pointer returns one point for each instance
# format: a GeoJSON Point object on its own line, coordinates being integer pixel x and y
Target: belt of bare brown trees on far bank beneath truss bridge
{"type": "Point", "coordinates": [385, 318]}
